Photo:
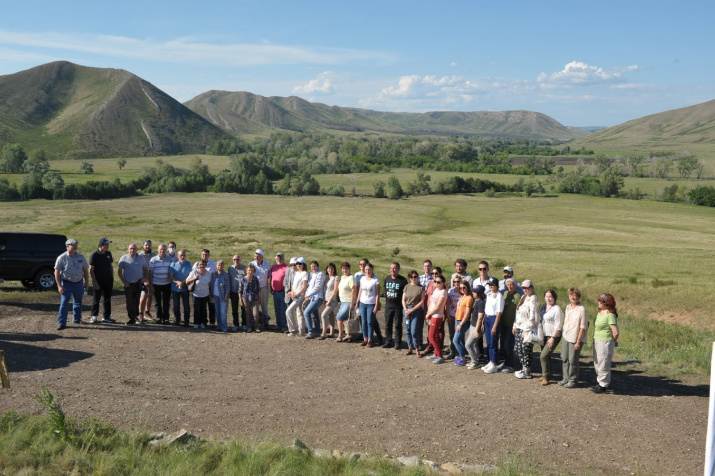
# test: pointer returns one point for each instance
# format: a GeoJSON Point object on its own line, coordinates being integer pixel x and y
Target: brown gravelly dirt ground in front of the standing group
{"type": "Point", "coordinates": [343, 396]}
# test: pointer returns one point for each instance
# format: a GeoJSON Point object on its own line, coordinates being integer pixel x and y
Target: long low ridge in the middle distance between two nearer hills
{"type": "Point", "coordinates": [247, 113]}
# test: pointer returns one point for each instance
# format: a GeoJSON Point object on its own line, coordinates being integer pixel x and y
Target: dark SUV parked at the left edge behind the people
{"type": "Point", "coordinates": [30, 258]}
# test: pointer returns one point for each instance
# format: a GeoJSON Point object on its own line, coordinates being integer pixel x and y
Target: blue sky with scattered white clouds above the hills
{"type": "Point", "coordinates": [582, 63]}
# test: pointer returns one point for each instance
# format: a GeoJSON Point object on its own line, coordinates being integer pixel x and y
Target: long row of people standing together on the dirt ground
{"type": "Point", "coordinates": [497, 321]}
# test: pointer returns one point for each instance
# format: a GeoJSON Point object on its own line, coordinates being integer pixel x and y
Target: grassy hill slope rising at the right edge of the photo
{"type": "Point", "coordinates": [693, 125]}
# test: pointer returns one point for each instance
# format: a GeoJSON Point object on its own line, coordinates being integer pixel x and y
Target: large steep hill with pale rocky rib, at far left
{"type": "Point", "coordinates": [94, 112]}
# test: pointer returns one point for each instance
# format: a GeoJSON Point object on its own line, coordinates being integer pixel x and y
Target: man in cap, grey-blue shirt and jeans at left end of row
{"type": "Point", "coordinates": [72, 277]}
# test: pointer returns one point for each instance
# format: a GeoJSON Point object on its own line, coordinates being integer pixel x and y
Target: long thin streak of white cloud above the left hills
{"type": "Point", "coordinates": [187, 50]}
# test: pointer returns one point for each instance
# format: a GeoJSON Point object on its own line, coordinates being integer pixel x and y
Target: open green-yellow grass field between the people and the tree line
{"type": "Point", "coordinates": [654, 257]}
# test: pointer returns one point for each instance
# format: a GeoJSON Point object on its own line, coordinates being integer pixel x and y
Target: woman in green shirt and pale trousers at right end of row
{"type": "Point", "coordinates": [605, 340]}
